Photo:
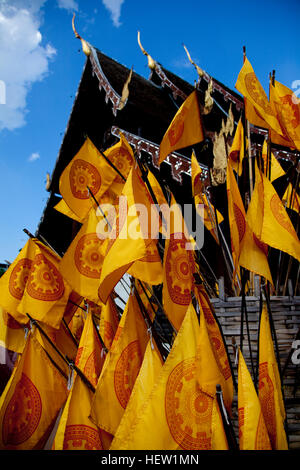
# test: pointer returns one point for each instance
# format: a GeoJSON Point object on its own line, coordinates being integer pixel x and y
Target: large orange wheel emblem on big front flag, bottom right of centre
{"type": "Point", "coordinates": [188, 410]}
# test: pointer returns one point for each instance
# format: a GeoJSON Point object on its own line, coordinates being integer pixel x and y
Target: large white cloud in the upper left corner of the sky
{"type": "Point", "coordinates": [26, 60]}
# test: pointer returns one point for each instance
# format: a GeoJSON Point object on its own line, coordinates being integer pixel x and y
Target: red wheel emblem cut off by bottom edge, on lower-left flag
{"type": "Point", "coordinates": [81, 437]}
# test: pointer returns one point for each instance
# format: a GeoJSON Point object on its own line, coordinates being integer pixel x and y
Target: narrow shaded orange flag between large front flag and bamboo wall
{"type": "Point", "coordinates": [217, 344]}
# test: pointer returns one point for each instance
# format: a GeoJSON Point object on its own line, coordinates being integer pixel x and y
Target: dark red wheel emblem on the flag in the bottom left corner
{"type": "Point", "coordinates": [22, 414]}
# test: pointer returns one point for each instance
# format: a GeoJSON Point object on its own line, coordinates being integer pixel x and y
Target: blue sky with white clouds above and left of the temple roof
{"type": "Point", "coordinates": [41, 63]}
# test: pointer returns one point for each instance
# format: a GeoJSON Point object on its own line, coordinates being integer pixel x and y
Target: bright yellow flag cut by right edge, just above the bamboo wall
{"type": "Point", "coordinates": [272, 225]}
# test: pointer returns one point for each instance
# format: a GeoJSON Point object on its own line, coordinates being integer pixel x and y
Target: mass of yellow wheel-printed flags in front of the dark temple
{"type": "Point", "coordinates": [94, 377]}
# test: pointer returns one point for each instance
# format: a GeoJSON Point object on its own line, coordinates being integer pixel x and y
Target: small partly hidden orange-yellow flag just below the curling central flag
{"type": "Point", "coordinates": [109, 321]}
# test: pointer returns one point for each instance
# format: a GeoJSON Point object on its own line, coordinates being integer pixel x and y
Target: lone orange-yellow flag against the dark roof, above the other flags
{"type": "Point", "coordinates": [185, 128]}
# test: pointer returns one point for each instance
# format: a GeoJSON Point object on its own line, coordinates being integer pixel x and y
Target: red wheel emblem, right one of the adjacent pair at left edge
{"type": "Point", "coordinates": [45, 281]}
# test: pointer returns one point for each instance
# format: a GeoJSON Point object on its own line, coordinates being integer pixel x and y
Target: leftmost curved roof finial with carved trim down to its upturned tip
{"type": "Point", "coordinates": [117, 101]}
